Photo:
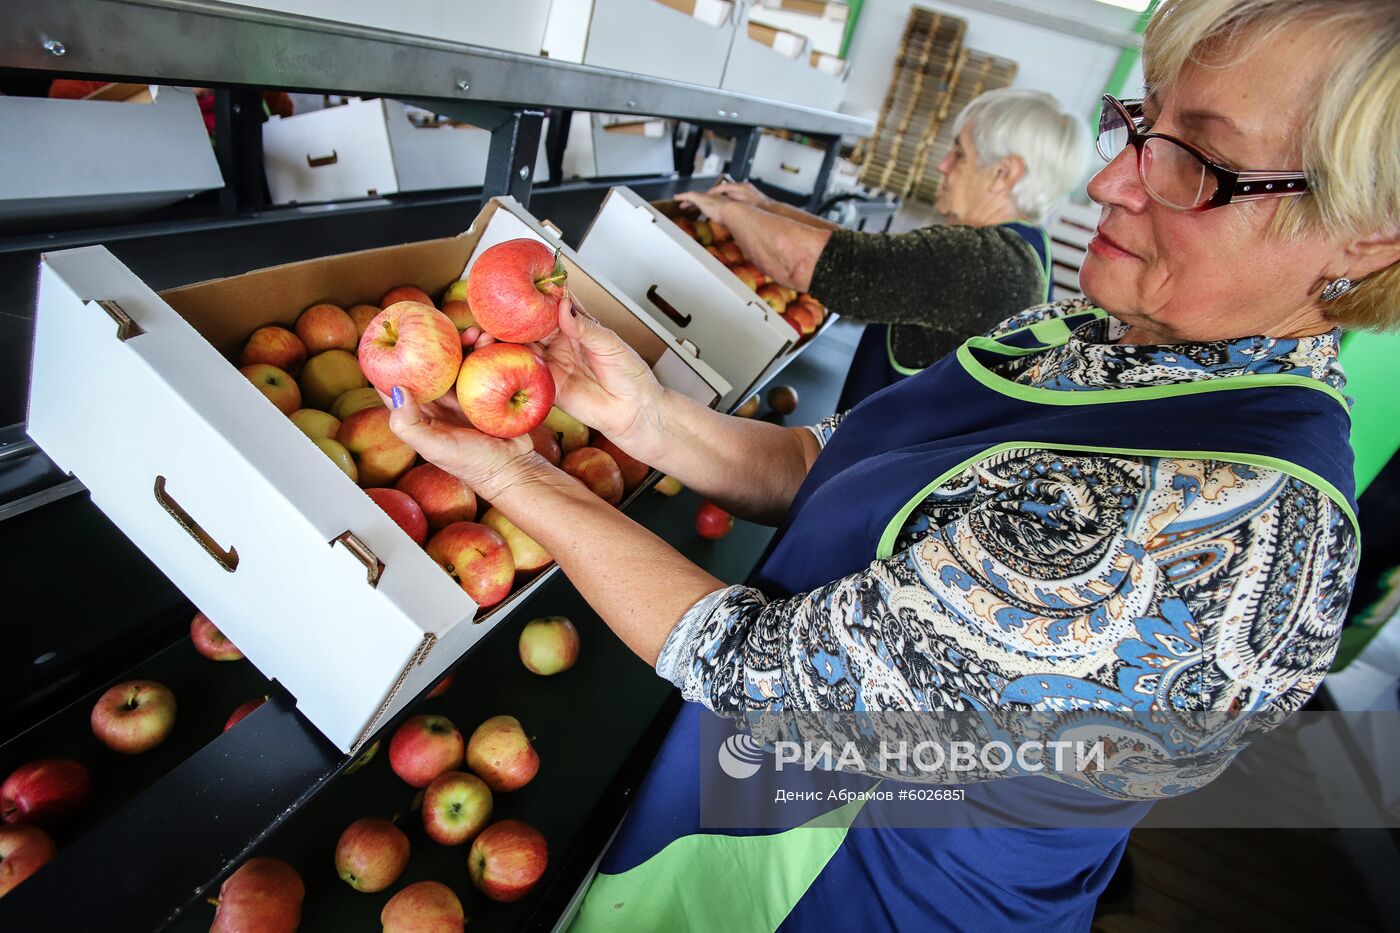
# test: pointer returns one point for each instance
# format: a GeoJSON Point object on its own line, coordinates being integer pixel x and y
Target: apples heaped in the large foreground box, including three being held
{"type": "Point", "coordinates": [331, 371]}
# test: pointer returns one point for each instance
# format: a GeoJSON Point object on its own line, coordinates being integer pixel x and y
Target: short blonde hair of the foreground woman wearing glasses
{"type": "Point", "coordinates": [1352, 144]}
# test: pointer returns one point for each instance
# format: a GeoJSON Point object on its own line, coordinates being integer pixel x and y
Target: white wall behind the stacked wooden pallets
{"type": "Point", "coordinates": [1074, 69]}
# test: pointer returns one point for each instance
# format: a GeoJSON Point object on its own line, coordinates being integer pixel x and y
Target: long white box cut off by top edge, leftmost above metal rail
{"type": "Point", "coordinates": [516, 27]}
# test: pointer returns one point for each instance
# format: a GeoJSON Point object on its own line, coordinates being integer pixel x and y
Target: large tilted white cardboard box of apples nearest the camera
{"type": "Point", "coordinates": [232, 501]}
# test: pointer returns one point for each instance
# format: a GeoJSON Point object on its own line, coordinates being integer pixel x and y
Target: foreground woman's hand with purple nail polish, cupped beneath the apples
{"type": "Point", "coordinates": [444, 438]}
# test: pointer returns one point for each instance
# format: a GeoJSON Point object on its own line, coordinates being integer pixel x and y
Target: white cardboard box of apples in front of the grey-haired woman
{"type": "Point", "coordinates": [685, 289]}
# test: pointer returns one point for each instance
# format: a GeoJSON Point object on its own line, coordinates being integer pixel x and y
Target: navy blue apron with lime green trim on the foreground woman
{"type": "Point", "coordinates": [664, 871]}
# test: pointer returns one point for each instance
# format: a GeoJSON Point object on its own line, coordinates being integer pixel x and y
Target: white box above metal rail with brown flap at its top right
{"type": "Point", "coordinates": [645, 37]}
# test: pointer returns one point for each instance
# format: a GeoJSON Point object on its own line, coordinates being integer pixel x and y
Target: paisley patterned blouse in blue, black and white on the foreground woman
{"type": "Point", "coordinates": [1235, 576]}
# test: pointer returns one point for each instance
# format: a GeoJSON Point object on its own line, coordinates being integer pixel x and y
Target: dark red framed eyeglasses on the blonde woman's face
{"type": "Point", "coordinates": [1178, 174]}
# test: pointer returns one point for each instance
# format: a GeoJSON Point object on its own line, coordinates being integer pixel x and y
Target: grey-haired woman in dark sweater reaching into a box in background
{"type": "Point", "coordinates": [1016, 156]}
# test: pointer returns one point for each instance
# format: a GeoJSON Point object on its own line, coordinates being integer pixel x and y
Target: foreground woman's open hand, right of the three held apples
{"type": "Point", "coordinates": [601, 382]}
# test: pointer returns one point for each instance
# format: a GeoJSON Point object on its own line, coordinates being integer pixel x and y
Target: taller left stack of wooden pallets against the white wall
{"type": "Point", "coordinates": [916, 102]}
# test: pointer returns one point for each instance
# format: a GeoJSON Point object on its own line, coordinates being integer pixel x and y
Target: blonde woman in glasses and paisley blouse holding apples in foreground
{"type": "Point", "coordinates": [1140, 504]}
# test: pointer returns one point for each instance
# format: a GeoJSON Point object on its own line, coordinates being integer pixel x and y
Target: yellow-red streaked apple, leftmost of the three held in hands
{"type": "Point", "coordinates": [415, 347]}
